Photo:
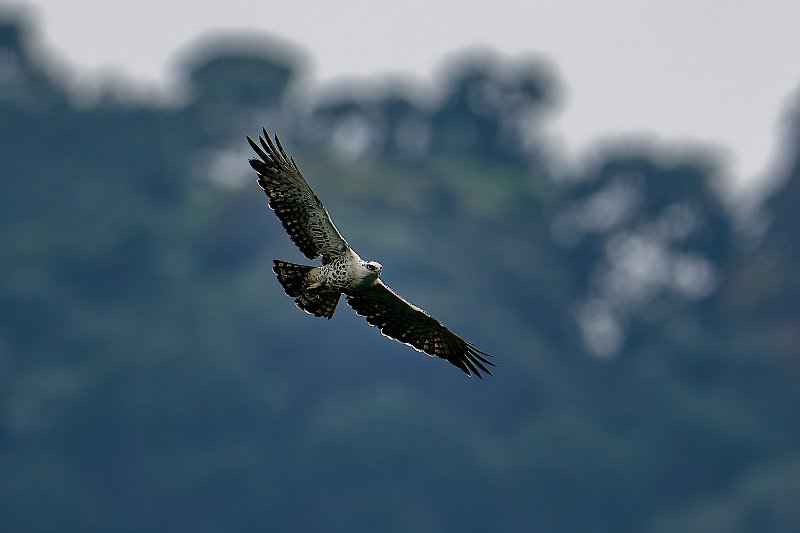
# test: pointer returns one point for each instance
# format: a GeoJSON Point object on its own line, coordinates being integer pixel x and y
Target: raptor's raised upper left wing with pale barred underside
{"type": "Point", "coordinates": [300, 211]}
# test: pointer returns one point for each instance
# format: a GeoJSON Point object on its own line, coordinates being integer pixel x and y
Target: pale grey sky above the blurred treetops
{"type": "Point", "coordinates": [682, 71]}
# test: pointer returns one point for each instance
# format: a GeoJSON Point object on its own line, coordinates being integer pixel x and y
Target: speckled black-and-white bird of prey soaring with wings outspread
{"type": "Point", "coordinates": [317, 289]}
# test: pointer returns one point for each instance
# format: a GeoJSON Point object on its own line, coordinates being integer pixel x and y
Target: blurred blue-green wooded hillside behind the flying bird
{"type": "Point", "coordinates": [643, 310]}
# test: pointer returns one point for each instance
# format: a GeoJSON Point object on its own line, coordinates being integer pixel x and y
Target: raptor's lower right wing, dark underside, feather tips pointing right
{"type": "Point", "coordinates": [401, 320]}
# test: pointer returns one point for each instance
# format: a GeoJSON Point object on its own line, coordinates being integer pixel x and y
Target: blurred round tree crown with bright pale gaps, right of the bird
{"type": "Point", "coordinates": [646, 235]}
